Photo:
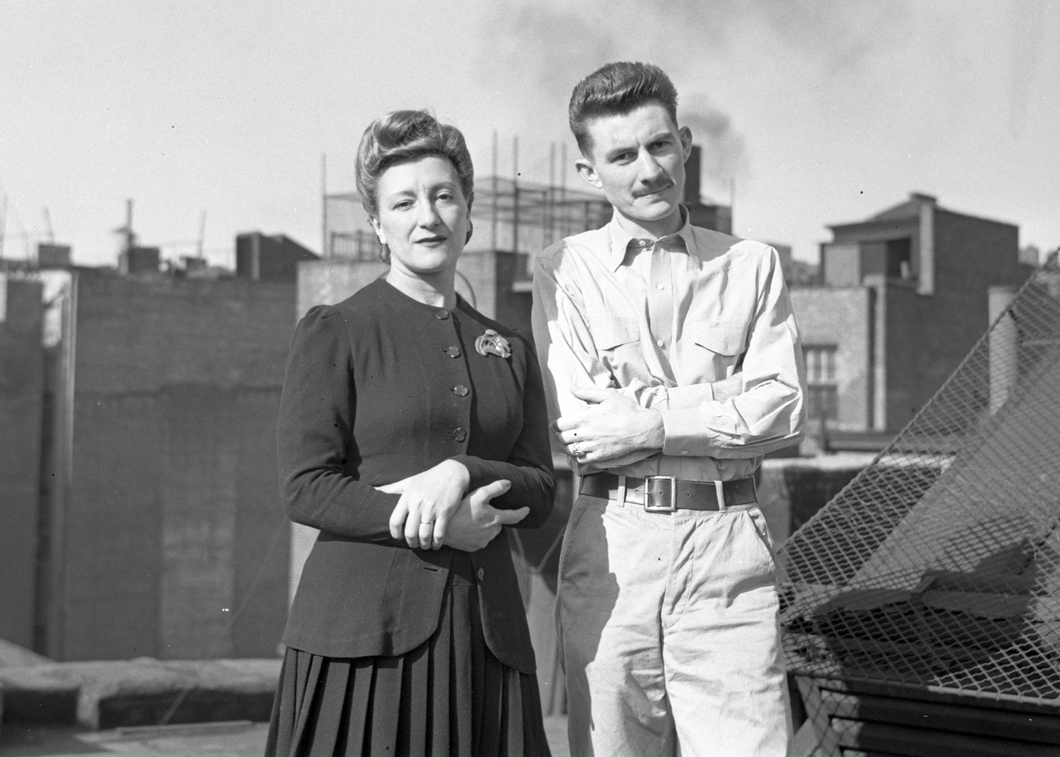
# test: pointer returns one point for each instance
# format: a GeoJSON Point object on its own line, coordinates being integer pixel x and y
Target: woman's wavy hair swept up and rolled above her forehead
{"type": "Point", "coordinates": [408, 135]}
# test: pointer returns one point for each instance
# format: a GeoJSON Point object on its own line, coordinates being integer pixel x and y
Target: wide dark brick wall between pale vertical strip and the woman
{"type": "Point", "coordinates": [171, 512]}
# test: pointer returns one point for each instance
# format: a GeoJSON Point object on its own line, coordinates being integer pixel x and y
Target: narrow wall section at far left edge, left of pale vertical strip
{"type": "Point", "coordinates": [22, 396]}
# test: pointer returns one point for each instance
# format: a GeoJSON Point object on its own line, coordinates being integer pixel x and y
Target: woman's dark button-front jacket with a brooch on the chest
{"type": "Point", "coordinates": [381, 388]}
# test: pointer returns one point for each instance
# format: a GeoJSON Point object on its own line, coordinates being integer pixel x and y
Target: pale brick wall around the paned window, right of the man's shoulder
{"type": "Point", "coordinates": [844, 318]}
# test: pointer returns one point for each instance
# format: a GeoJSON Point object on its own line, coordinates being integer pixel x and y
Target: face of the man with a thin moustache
{"type": "Point", "coordinates": [639, 161]}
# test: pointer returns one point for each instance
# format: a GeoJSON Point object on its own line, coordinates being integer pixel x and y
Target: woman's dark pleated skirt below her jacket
{"type": "Point", "coordinates": [450, 697]}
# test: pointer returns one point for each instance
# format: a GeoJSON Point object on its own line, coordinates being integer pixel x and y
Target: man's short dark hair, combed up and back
{"type": "Point", "coordinates": [614, 91]}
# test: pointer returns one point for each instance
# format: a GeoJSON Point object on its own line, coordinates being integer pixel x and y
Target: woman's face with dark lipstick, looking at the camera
{"type": "Point", "coordinates": [422, 216]}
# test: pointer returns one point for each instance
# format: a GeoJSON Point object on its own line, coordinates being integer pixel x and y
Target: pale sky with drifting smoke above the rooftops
{"type": "Point", "coordinates": [810, 113]}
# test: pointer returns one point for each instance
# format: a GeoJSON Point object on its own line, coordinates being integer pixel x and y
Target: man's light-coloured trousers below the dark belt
{"type": "Point", "coordinates": [670, 637]}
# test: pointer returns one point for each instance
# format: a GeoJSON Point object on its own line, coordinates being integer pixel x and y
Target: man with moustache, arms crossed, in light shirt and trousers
{"type": "Point", "coordinates": [673, 366]}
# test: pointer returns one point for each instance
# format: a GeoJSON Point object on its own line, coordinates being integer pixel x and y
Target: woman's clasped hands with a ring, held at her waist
{"type": "Point", "coordinates": [436, 509]}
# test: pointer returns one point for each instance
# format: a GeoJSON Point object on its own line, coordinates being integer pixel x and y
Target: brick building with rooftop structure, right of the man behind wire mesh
{"type": "Point", "coordinates": [902, 302]}
